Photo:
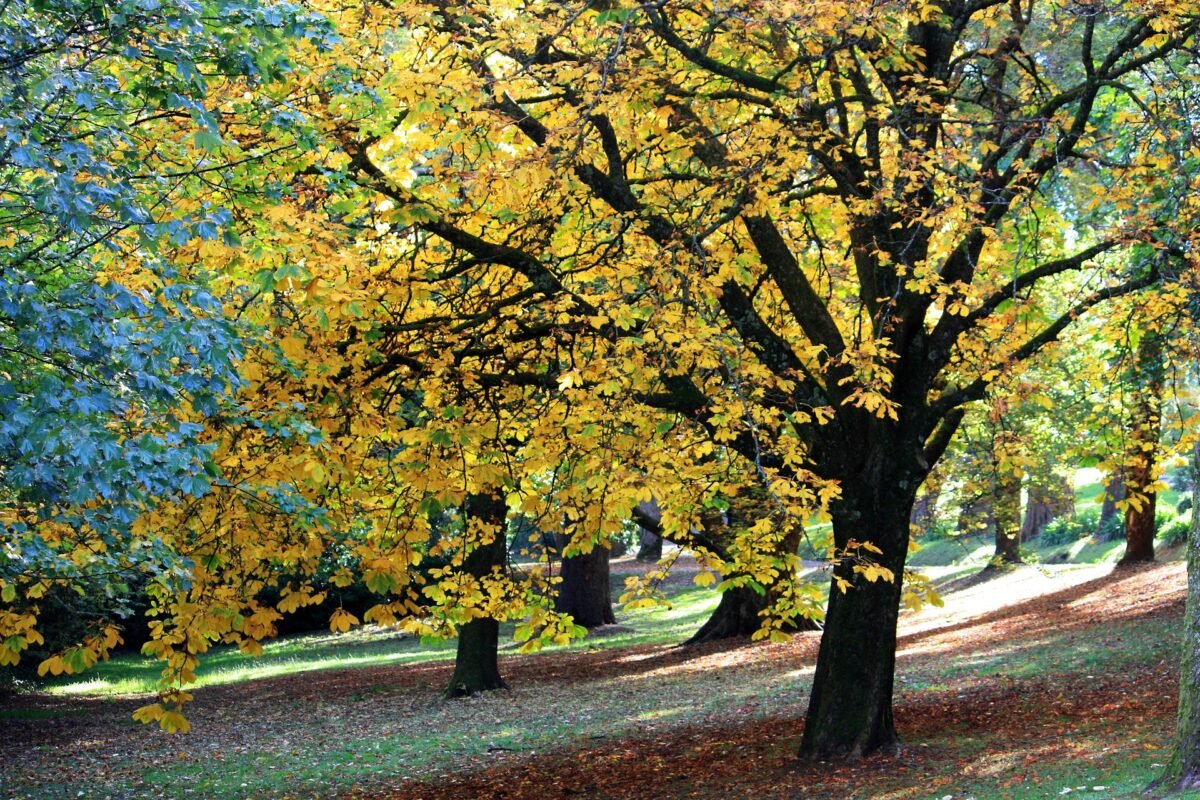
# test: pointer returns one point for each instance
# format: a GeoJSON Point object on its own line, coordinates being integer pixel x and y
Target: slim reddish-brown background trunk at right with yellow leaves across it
{"type": "Point", "coordinates": [1143, 459]}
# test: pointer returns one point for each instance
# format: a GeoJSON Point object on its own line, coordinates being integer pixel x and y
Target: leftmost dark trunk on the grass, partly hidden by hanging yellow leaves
{"type": "Point", "coordinates": [477, 666]}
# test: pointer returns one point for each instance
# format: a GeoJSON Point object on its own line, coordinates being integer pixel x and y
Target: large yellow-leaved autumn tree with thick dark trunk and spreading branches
{"type": "Point", "coordinates": [584, 256]}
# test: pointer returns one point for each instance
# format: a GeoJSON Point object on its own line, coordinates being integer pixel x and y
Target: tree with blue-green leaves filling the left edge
{"type": "Point", "coordinates": [113, 353]}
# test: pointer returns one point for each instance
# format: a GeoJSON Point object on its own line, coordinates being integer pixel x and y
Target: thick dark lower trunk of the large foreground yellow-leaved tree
{"type": "Point", "coordinates": [850, 711]}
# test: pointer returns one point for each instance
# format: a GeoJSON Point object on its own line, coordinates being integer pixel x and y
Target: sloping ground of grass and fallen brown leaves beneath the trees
{"type": "Point", "coordinates": [1037, 683]}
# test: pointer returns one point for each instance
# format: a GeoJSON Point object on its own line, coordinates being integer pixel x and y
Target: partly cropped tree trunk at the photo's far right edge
{"type": "Point", "coordinates": [1183, 772]}
